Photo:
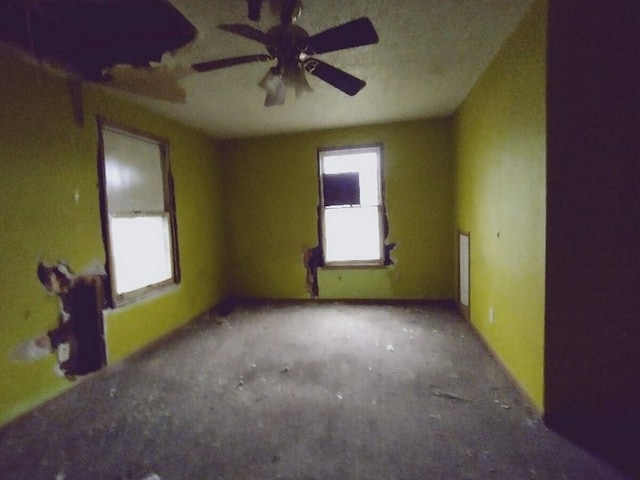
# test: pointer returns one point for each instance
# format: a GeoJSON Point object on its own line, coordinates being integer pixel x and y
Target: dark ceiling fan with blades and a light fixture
{"type": "Point", "coordinates": [294, 50]}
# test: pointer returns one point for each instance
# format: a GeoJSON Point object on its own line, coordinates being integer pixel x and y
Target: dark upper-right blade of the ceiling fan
{"type": "Point", "coordinates": [355, 33]}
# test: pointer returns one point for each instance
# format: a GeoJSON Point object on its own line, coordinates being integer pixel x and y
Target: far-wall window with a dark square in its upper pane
{"type": "Point", "coordinates": [352, 216]}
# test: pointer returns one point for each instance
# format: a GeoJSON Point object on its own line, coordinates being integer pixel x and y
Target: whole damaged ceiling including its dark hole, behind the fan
{"type": "Point", "coordinates": [429, 55]}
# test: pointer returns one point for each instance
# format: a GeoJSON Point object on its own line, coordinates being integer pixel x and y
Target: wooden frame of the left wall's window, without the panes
{"type": "Point", "coordinates": [116, 299]}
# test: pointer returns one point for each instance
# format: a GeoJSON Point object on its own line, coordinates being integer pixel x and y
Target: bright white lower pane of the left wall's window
{"type": "Point", "coordinates": [141, 251]}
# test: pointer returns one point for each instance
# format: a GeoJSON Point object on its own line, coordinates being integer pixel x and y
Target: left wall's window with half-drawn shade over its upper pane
{"type": "Point", "coordinates": [138, 213]}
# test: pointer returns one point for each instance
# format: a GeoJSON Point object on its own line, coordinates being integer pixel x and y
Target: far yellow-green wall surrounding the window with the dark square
{"type": "Point", "coordinates": [271, 192]}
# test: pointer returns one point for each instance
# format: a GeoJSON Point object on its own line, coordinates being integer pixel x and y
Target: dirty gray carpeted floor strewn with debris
{"type": "Point", "coordinates": [322, 391]}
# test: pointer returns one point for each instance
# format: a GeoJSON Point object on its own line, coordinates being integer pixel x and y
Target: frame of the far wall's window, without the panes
{"type": "Point", "coordinates": [381, 261]}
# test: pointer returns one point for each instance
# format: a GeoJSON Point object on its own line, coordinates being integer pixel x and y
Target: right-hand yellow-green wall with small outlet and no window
{"type": "Point", "coordinates": [500, 191]}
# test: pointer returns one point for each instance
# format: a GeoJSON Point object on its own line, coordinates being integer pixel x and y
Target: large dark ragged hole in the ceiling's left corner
{"type": "Point", "coordinates": [90, 36]}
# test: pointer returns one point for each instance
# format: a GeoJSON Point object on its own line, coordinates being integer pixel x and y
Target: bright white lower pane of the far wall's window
{"type": "Point", "coordinates": [352, 234]}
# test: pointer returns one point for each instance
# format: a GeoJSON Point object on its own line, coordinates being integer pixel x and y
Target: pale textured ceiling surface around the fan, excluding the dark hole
{"type": "Point", "coordinates": [430, 54]}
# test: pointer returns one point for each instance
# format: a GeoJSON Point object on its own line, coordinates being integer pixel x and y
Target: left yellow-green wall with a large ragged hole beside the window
{"type": "Point", "coordinates": [45, 159]}
